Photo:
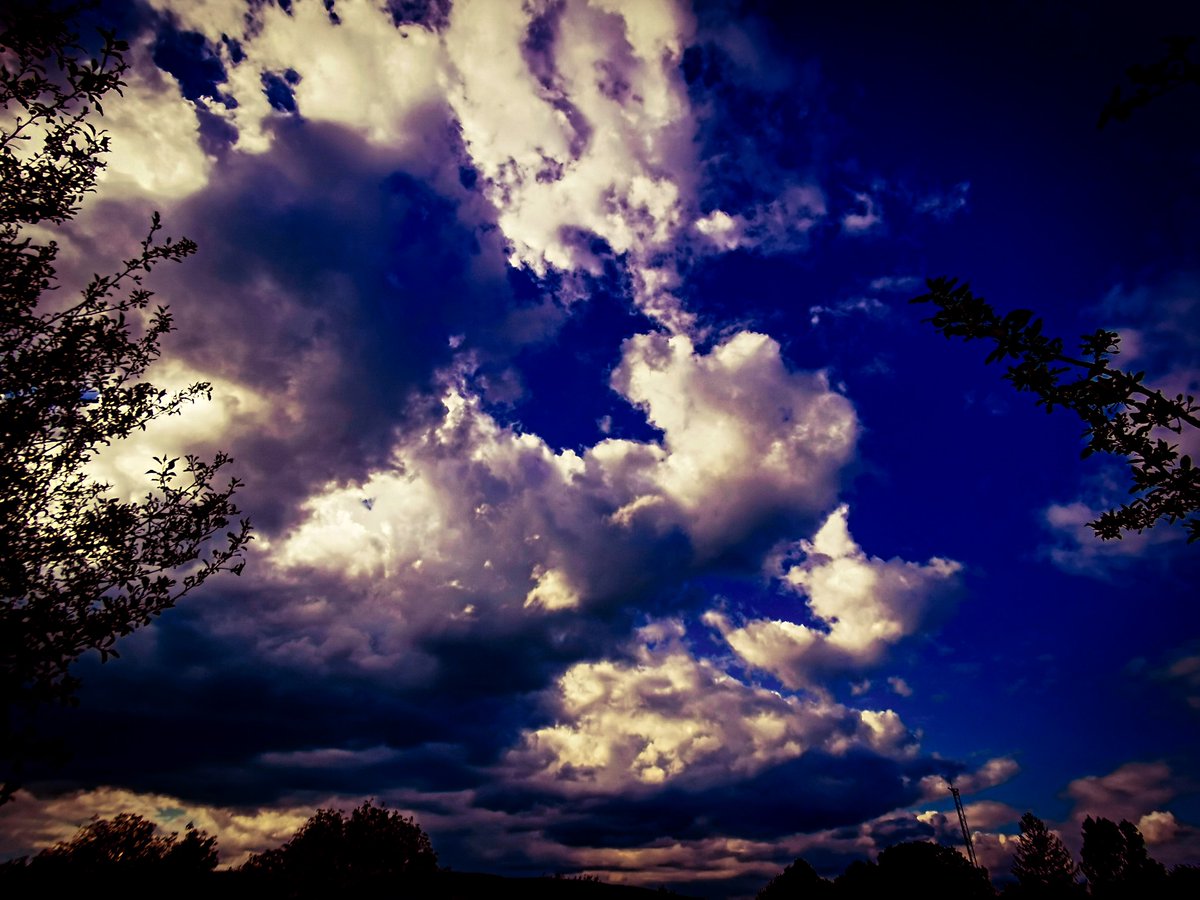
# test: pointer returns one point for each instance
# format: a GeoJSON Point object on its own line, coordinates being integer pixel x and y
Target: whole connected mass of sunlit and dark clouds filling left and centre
{"type": "Point", "coordinates": [369, 196]}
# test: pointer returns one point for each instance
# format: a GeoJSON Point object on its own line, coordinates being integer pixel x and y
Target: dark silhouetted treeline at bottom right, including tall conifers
{"type": "Point", "coordinates": [1114, 866]}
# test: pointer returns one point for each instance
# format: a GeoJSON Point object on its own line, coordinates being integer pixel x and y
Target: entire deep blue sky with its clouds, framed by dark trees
{"type": "Point", "coordinates": [615, 512]}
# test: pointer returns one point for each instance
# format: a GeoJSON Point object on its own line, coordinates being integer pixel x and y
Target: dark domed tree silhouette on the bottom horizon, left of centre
{"type": "Point", "coordinates": [371, 847]}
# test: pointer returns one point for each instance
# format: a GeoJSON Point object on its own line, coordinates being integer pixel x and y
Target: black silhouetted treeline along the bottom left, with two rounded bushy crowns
{"type": "Point", "coordinates": [371, 853]}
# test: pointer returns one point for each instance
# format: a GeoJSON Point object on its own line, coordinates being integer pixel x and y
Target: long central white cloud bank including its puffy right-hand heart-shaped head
{"type": "Point", "coordinates": [473, 514]}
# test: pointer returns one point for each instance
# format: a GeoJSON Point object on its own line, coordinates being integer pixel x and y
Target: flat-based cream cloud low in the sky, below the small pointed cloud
{"type": "Point", "coordinates": [669, 716]}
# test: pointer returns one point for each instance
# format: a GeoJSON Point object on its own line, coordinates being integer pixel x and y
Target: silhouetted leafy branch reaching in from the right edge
{"type": "Point", "coordinates": [1124, 417]}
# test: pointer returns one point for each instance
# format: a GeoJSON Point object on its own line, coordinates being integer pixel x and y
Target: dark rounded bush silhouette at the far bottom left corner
{"type": "Point", "coordinates": [130, 842]}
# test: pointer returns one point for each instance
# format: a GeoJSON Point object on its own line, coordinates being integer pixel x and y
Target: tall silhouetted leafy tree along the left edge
{"type": "Point", "coordinates": [79, 567]}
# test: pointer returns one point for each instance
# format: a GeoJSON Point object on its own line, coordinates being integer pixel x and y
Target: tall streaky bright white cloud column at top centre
{"type": "Point", "coordinates": [579, 122]}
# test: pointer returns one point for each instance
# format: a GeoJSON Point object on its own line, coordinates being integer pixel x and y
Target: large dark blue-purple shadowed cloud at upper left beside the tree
{"type": "Point", "coordinates": [329, 283]}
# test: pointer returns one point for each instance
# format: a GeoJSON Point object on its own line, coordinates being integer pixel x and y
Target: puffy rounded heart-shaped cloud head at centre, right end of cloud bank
{"type": "Point", "coordinates": [742, 433]}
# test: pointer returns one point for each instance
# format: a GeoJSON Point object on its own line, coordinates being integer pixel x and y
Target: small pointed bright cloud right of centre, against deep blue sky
{"type": "Point", "coordinates": [861, 607]}
